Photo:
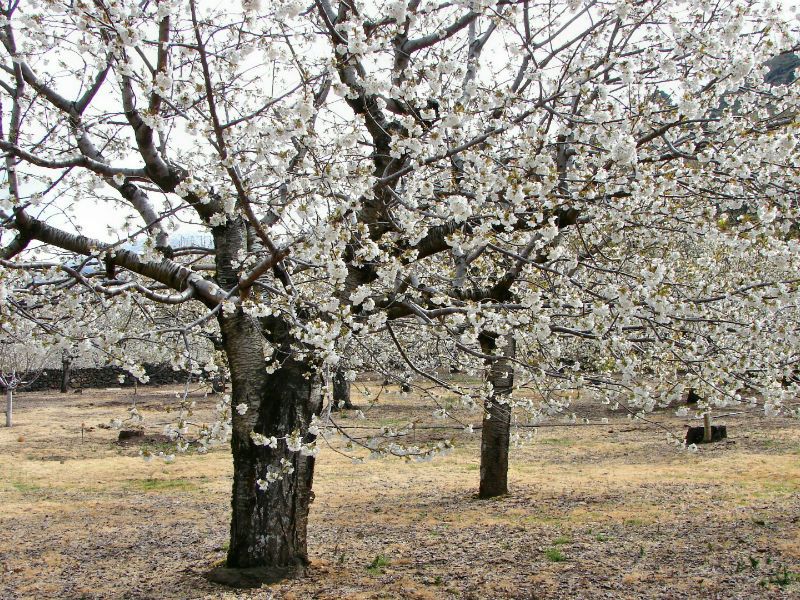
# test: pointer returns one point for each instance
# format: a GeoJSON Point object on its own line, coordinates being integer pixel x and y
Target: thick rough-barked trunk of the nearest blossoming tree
{"type": "Point", "coordinates": [268, 527]}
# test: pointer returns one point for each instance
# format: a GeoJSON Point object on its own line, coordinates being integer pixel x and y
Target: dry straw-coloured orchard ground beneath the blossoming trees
{"type": "Point", "coordinates": [599, 511]}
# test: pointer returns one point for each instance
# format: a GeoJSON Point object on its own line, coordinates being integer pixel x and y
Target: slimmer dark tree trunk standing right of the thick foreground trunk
{"type": "Point", "coordinates": [496, 431]}
